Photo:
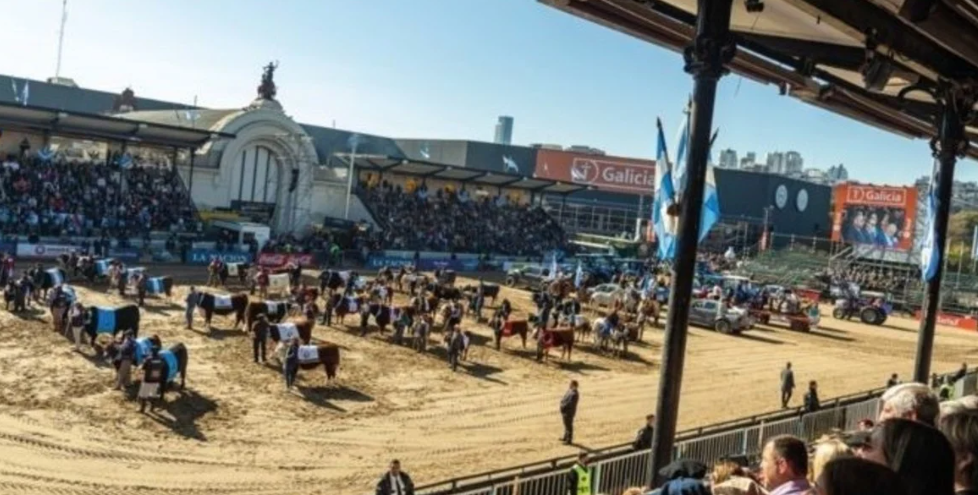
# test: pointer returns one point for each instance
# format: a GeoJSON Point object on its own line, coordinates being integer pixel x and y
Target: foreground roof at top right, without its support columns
{"type": "Point", "coordinates": [853, 57]}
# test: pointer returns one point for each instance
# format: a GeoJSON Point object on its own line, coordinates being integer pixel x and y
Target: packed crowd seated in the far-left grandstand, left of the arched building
{"type": "Point", "coordinates": [54, 197]}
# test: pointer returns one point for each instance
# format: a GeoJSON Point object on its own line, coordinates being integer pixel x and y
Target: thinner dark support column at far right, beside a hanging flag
{"type": "Point", "coordinates": [956, 109]}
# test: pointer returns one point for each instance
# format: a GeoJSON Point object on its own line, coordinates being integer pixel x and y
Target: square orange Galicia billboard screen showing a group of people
{"type": "Point", "coordinates": [878, 215]}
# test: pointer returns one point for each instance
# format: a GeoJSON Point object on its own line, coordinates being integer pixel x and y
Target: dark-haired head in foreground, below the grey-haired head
{"type": "Point", "coordinates": [919, 454]}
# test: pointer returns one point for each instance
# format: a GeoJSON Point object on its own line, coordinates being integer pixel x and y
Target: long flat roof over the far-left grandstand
{"type": "Point", "coordinates": [29, 118]}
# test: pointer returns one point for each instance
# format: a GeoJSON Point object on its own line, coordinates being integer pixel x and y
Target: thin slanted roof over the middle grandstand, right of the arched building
{"type": "Point", "coordinates": [426, 169]}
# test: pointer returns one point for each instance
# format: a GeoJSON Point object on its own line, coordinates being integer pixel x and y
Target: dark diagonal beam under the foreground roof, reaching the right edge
{"type": "Point", "coordinates": [863, 17]}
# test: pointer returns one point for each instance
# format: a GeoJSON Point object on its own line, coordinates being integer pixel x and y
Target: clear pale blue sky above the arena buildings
{"type": "Point", "coordinates": [432, 68]}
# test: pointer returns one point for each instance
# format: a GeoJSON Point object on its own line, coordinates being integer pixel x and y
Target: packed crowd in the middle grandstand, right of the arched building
{"type": "Point", "coordinates": [456, 221]}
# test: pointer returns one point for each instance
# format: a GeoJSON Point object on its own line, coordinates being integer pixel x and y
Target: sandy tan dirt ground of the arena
{"type": "Point", "coordinates": [235, 430]}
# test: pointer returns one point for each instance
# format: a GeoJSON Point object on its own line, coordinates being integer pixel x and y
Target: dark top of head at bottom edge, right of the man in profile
{"type": "Point", "coordinates": [854, 476]}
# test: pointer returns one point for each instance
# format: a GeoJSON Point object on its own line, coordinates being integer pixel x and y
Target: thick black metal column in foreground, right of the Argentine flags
{"type": "Point", "coordinates": [705, 61]}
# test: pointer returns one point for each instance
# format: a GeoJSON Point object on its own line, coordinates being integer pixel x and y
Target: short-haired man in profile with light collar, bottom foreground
{"type": "Point", "coordinates": [784, 466]}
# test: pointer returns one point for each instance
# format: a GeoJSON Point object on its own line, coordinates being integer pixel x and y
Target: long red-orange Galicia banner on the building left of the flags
{"type": "Point", "coordinates": [606, 173]}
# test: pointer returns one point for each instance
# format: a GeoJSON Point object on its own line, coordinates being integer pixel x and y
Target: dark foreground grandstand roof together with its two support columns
{"type": "Point", "coordinates": [906, 66]}
